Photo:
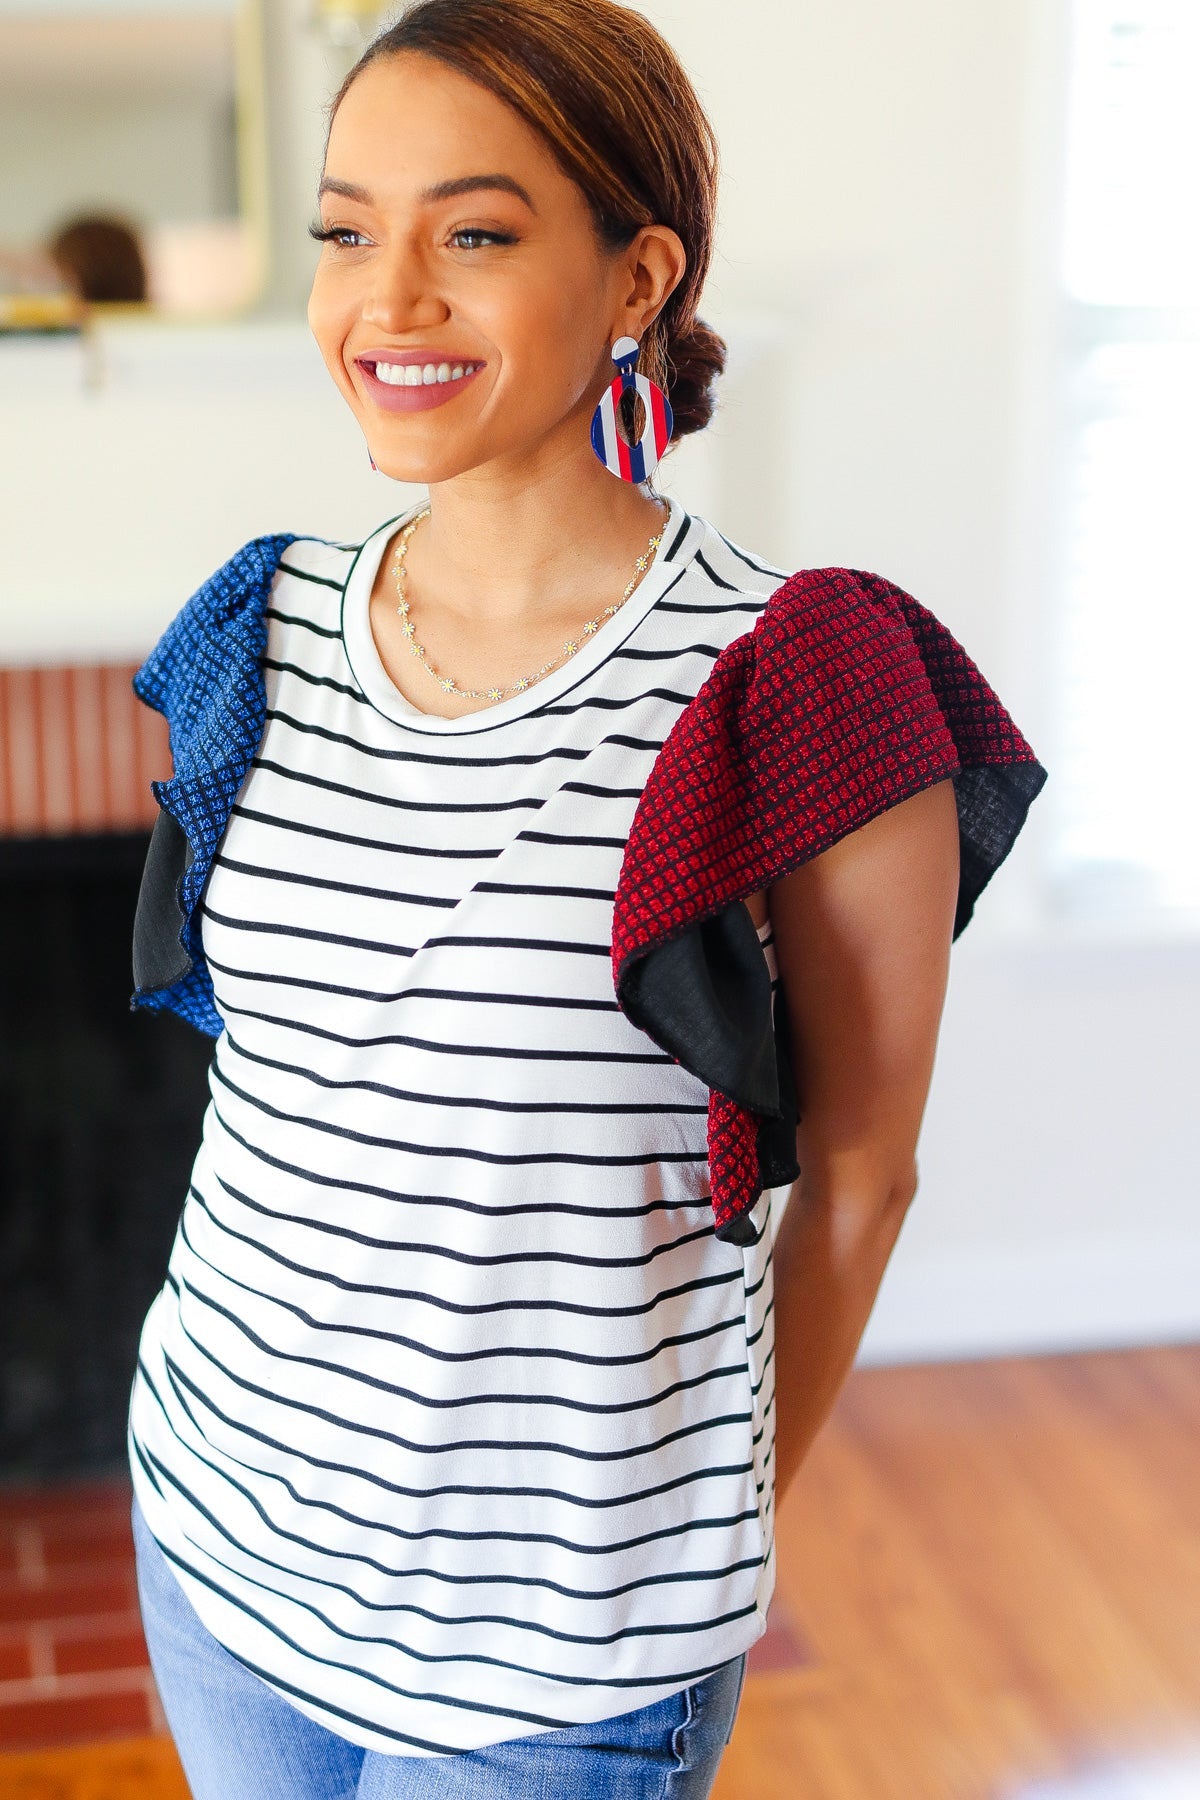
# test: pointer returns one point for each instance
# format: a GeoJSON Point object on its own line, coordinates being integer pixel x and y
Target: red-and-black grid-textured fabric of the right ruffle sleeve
{"type": "Point", "coordinates": [846, 697]}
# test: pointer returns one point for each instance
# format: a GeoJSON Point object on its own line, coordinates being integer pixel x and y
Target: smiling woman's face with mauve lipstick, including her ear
{"type": "Point", "coordinates": [503, 273]}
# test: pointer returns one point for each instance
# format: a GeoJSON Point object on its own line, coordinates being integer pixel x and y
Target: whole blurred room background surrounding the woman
{"type": "Point", "coordinates": [960, 278]}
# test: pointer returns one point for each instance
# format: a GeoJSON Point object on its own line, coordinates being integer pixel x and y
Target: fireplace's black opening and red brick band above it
{"type": "Point", "coordinates": [100, 1108]}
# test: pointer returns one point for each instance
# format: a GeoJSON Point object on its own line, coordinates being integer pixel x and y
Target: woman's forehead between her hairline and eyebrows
{"type": "Point", "coordinates": [409, 121]}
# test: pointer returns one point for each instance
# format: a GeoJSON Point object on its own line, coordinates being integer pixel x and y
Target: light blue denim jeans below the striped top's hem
{"type": "Point", "coordinates": [242, 1741]}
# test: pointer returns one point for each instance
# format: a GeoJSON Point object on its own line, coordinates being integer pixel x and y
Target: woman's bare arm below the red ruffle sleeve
{"type": "Point", "coordinates": [863, 942]}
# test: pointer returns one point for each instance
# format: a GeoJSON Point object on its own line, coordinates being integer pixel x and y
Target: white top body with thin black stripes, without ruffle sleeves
{"type": "Point", "coordinates": [454, 1417]}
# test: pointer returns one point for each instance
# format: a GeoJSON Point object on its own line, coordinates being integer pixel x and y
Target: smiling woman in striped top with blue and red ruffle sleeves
{"type": "Point", "coordinates": [454, 1430]}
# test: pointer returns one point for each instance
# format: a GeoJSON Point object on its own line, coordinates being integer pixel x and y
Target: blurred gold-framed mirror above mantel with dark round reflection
{"type": "Point", "coordinates": [132, 157]}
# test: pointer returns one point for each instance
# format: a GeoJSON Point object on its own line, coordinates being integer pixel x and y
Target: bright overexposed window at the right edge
{"type": "Point", "coordinates": [1127, 773]}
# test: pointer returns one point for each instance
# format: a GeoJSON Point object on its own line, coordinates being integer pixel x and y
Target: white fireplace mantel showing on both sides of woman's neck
{"type": "Point", "coordinates": [138, 465]}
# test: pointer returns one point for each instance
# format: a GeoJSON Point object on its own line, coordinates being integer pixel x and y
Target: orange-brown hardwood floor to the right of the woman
{"type": "Point", "coordinates": [998, 1570]}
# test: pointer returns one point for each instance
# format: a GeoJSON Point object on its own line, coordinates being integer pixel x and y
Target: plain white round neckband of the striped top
{"type": "Point", "coordinates": [681, 541]}
